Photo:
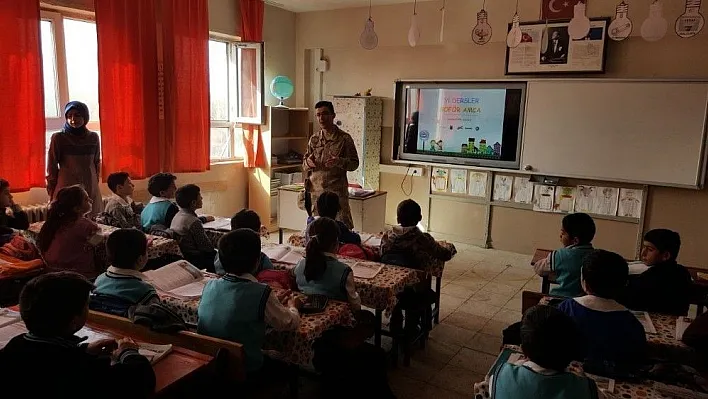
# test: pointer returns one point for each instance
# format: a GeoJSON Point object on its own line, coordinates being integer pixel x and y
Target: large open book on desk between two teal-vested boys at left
{"type": "Point", "coordinates": [180, 279]}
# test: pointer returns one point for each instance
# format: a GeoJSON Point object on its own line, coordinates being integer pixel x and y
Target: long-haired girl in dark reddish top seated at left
{"type": "Point", "coordinates": [68, 238]}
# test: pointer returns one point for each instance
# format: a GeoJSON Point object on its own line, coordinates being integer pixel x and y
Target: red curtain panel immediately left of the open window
{"type": "Point", "coordinates": [185, 30]}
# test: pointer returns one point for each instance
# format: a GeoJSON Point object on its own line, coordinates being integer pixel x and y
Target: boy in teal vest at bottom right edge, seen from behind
{"type": "Point", "coordinates": [549, 339]}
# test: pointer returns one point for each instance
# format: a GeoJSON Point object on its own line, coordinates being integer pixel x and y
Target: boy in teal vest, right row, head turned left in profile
{"type": "Point", "coordinates": [577, 233]}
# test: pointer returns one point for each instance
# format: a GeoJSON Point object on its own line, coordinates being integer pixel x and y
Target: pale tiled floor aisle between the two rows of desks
{"type": "Point", "coordinates": [481, 295]}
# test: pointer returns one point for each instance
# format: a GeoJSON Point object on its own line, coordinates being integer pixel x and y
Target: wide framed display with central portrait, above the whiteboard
{"type": "Point", "coordinates": [546, 48]}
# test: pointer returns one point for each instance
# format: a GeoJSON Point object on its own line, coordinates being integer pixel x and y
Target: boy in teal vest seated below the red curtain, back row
{"type": "Point", "coordinates": [160, 211]}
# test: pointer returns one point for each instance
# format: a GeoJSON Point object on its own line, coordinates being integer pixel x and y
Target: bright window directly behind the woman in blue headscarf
{"type": "Point", "coordinates": [70, 68]}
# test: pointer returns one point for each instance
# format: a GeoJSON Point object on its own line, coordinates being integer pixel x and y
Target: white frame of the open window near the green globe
{"type": "Point", "coordinates": [234, 120]}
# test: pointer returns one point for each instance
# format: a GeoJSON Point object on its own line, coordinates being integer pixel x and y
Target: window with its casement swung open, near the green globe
{"type": "Point", "coordinates": [236, 94]}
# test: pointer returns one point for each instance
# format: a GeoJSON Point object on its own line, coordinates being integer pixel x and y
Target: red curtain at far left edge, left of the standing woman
{"type": "Point", "coordinates": [22, 142]}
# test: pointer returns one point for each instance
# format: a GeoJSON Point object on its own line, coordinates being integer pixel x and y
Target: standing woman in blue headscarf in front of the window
{"type": "Point", "coordinates": [75, 156]}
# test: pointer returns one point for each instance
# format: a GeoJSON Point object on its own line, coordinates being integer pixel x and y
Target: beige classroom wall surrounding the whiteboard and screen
{"type": "Point", "coordinates": [353, 69]}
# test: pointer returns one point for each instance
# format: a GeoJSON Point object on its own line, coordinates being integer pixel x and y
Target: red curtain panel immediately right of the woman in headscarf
{"type": "Point", "coordinates": [128, 89]}
